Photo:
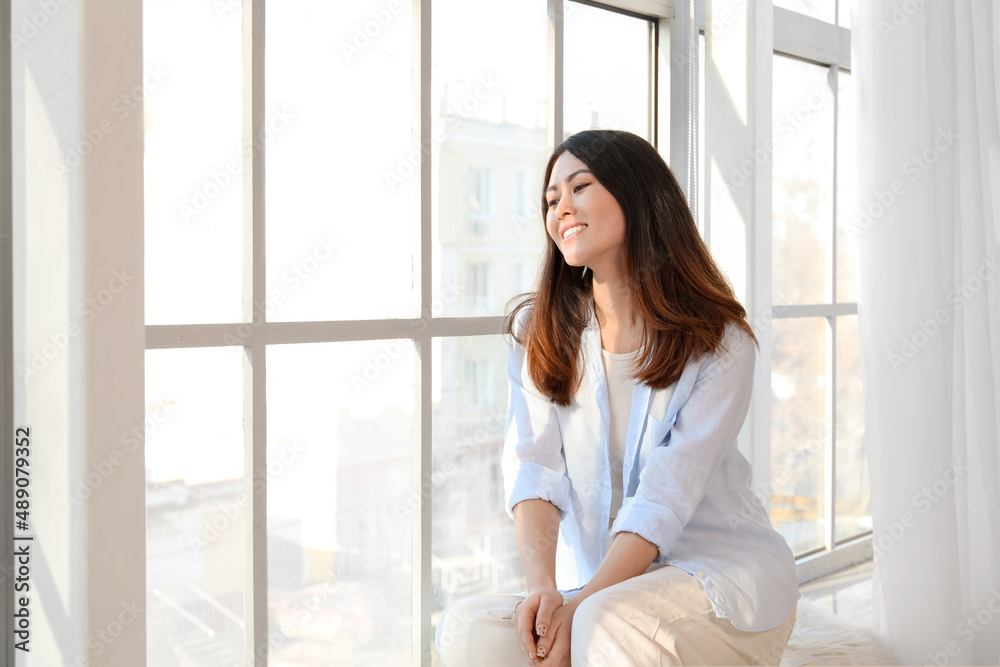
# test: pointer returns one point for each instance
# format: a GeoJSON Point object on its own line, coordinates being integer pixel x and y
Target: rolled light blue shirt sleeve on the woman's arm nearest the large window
{"type": "Point", "coordinates": [533, 461]}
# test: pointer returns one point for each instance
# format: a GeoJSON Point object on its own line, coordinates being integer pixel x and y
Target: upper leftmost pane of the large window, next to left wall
{"type": "Point", "coordinates": [192, 163]}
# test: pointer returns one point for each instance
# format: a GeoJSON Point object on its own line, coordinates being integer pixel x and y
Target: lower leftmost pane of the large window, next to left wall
{"type": "Point", "coordinates": [194, 521]}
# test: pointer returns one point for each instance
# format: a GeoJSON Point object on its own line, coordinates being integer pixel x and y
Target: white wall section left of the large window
{"type": "Point", "coordinates": [78, 379]}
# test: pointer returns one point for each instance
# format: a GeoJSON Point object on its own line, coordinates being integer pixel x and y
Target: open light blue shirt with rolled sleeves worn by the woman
{"type": "Point", "coordinates": [687, 487]}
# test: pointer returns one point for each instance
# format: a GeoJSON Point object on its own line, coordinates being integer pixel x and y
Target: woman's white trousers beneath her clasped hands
{"type": "Point", "coordinates": [660, 617]}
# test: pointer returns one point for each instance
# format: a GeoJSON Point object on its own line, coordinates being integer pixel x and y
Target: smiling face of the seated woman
{"type": "Point", "coordinates": [584, 219]}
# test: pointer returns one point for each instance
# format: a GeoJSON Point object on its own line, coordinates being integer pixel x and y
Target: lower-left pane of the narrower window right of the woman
{"type": "Point", "coordinates": [799, 430]}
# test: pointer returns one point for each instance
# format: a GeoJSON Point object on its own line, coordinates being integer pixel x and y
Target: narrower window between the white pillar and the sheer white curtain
{"type": "Point", "coordinates": [820, 496]}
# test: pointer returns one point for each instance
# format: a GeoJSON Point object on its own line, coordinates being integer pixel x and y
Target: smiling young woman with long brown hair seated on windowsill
{"type": "Point", "coordinates": [631, 372]}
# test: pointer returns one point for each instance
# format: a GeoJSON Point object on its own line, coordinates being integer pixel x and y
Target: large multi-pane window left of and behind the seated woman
{"type": "Point", "coordinates": [358, 333]}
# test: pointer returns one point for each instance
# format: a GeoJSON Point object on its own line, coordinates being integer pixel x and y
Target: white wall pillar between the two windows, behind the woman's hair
{"type": "Point", "coordinates": [739, 38]}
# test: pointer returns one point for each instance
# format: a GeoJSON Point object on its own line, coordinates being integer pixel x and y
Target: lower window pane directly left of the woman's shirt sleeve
{"type": "Point", "coordinates": [474, 548]}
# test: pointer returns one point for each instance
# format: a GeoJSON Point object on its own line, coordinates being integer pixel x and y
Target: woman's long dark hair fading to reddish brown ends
{"type": "Point", "coordinates": [684, 299]}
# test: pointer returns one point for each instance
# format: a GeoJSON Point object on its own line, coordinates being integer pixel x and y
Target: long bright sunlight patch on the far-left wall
{"type": "Point", "coordinates": [42, 367]}
